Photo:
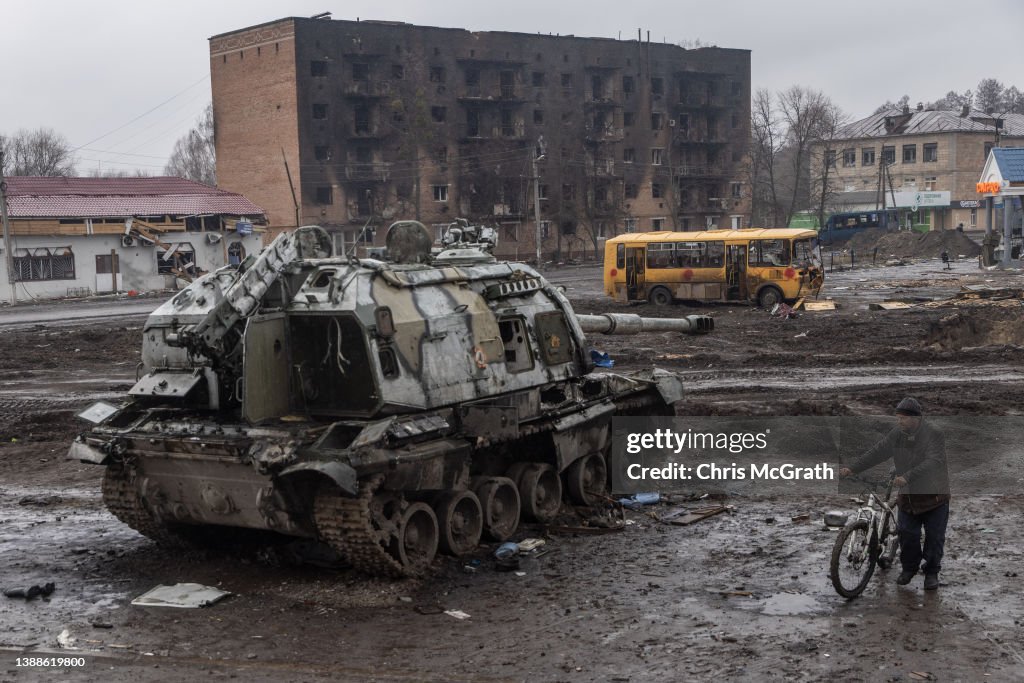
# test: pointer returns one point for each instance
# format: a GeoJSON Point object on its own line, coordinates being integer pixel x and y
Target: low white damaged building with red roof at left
{"type": "Point", "coordinates": [76, 237]}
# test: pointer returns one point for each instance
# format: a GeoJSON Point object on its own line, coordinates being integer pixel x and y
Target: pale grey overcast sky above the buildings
{"type": "Point", "coordinates": [124, 80]}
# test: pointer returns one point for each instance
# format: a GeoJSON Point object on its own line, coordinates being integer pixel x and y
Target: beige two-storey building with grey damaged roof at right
{"type": "Point", "coordinates": [923, 163]}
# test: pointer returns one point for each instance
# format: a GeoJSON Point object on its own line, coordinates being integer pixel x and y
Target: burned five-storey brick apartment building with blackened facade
{"type": "Point", "coordinates": [353, 125]}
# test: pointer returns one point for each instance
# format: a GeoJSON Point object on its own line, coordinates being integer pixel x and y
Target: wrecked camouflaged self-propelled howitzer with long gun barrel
{"type": "Point", "coordinates": [387, 408]}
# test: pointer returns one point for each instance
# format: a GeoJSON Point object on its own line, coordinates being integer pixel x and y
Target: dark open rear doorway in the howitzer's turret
{"type": "Point", "coordinates": [331, 370]}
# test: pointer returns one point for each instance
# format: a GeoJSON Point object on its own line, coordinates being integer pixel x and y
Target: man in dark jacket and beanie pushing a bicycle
{"type": "Point", "coordinates": [919, 452]}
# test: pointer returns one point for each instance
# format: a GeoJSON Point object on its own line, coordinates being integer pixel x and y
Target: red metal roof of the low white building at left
{"type": "Point", "coordinates": [31, 197]}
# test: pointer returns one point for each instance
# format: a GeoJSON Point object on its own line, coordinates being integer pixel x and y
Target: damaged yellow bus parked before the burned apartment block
{"type": "Point", "coordinates": [763, 266]}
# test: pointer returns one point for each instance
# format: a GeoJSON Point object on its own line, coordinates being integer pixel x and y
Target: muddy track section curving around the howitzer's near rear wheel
{"type": "Point", "coordinates": [347, 526]}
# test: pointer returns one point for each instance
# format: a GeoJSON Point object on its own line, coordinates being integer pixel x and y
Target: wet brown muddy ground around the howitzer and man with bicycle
{"type": "Point", "coordinates": [741, 597]}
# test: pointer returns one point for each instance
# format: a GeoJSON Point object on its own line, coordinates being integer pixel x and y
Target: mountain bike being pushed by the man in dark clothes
{"type": "Point", "coordinates": [868, 540]}
